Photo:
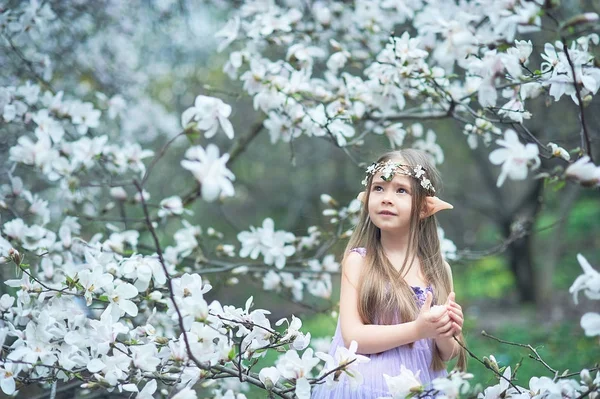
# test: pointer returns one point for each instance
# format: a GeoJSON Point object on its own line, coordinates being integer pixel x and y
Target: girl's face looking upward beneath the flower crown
{"type": "Point", "coordinates": [390, 203]}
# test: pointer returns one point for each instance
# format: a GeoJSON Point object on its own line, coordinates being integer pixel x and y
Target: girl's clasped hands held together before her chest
{"type": "Point", "coordinates": [440, 320]}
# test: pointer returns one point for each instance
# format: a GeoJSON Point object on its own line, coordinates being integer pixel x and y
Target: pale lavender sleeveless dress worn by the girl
{"type": "Point", "coordinates": [374, 386]}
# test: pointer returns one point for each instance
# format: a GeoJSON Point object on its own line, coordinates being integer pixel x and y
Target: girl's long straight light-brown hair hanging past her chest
{"type": "Point", "coordinates": [383, 292]}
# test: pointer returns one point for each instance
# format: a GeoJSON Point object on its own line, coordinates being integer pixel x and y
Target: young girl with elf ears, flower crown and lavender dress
{"type": "Point", "coordinates": [392, 274]}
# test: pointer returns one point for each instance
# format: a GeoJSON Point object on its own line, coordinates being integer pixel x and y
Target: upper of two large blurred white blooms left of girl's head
{"type": "Point", "coordinates": [209, 113]}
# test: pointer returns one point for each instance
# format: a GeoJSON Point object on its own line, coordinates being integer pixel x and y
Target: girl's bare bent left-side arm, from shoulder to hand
{"type": "Point", "coordinates": [372, 338]}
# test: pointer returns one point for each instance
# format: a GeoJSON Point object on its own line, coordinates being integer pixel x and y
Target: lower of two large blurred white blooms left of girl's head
{"type": "Point", "coordinates": [210, 170]}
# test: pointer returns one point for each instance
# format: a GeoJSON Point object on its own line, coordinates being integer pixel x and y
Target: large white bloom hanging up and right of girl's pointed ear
{"type": "Point", "coordinates": [514, 157]}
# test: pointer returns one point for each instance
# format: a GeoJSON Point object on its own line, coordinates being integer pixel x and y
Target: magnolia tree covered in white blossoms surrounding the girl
{"type": "Point", "coordinates": [101, 308]}
